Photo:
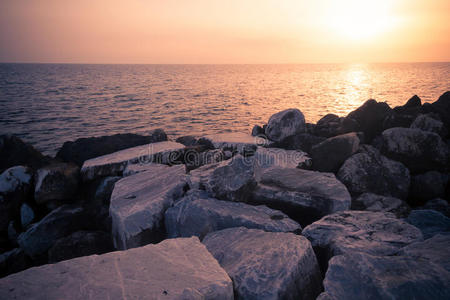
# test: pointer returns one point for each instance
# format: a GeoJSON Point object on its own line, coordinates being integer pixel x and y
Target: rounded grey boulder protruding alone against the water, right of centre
{"type": "Point", "coordinates": [284, 124]}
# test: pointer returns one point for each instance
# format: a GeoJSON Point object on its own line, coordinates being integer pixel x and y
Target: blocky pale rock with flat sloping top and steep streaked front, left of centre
{"type": "Point", "coordinates": [138, 204]}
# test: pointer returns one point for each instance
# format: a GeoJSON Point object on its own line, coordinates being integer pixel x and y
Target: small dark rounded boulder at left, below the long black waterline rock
{"type": "Point", "coordinates": [56, 182]}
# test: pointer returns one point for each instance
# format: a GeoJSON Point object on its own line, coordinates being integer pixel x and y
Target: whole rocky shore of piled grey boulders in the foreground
{"type": "Point", "coordinates": [352, 207]}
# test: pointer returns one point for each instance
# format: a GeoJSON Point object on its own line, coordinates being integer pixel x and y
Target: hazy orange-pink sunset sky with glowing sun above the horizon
{"type": "Point", "coordinates": [226, 31]}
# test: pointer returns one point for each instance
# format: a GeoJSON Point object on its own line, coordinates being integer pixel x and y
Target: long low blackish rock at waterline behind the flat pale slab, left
{"type": "Point", "coordinates": [86, 148]}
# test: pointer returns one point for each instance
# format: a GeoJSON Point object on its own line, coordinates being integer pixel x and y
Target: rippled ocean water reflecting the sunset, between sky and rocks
{"type": "Point", "coordinates": [48, 104]}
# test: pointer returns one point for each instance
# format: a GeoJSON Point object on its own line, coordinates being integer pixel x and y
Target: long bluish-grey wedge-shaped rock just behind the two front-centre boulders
{"type": "Point", "coordinates": [197, 214]}
